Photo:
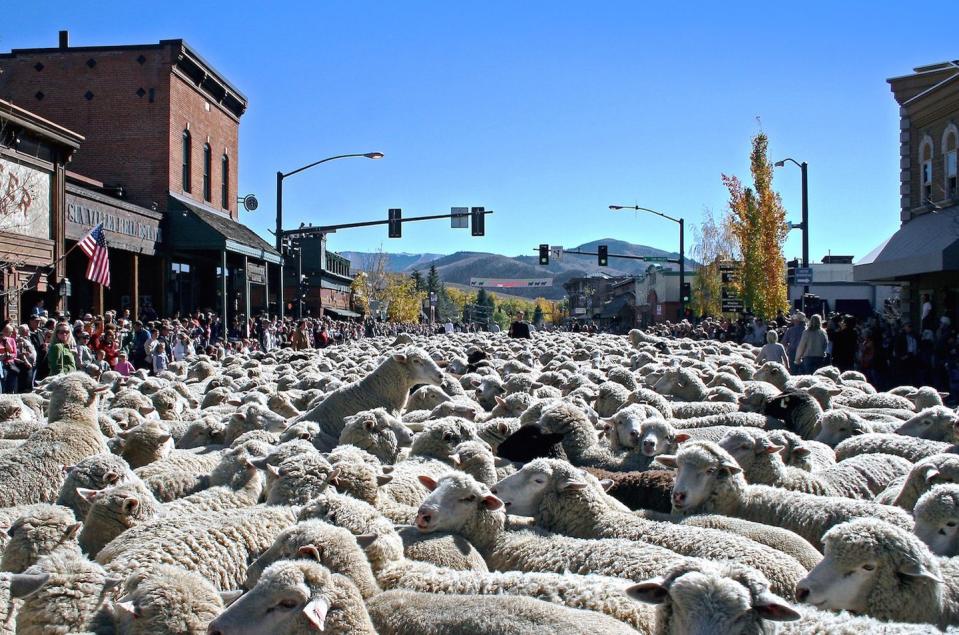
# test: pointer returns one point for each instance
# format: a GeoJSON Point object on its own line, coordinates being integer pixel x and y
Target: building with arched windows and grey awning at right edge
{"type": "Point", "coordinates": [923, 255]}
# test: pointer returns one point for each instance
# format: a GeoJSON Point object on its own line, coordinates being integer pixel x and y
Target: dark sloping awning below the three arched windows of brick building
{"type": "Point", "coordinates": [192, 226]}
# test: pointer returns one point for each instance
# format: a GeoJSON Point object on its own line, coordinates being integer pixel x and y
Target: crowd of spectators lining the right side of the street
{"type": "Point", "coordinates": [888, 349]}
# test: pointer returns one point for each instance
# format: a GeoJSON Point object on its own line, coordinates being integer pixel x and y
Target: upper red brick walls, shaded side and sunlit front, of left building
{"type": "Point", "coordinates": [129, 140]}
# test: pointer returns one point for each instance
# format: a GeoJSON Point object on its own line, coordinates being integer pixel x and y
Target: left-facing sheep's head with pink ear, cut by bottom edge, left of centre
{"type": "Point", "coordinates": [286, 599]}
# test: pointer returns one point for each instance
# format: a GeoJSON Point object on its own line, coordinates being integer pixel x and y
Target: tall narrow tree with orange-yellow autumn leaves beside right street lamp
{"type": "Point", "coordinates": [756, 222]}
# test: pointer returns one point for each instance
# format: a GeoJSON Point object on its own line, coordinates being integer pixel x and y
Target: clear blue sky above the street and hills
{"type": "Point", "coordinates": [545, 112]}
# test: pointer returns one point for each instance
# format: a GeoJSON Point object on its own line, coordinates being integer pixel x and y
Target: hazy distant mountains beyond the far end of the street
{"type": "Point", "coordinates": [459, 267]}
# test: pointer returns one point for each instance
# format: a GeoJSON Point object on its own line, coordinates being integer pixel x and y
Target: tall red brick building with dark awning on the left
{"type": "Point", "coordinates": [162, 129]}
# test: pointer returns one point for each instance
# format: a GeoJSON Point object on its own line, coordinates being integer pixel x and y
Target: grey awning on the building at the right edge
{"type": "Point", "coordinates": [925, 244]}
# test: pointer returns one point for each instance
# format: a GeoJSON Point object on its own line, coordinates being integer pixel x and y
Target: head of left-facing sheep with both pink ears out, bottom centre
{"type": "Point", "coordinates": [452, 502]}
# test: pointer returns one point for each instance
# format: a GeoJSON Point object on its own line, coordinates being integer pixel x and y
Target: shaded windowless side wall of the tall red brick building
{"type": "Point", "coordinates": [126, 135]}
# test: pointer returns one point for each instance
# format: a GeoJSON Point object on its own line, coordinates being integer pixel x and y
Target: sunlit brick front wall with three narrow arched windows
{"type": "Point", "coordinates": [208, 123]}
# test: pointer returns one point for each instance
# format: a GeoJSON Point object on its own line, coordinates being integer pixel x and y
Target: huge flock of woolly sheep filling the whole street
{"type": "Point", "coordinates": [478, 484]}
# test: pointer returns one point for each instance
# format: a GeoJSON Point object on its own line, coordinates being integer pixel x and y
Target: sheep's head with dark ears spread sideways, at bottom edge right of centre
{"type": "Point", "coordinates": [707, 602]}
